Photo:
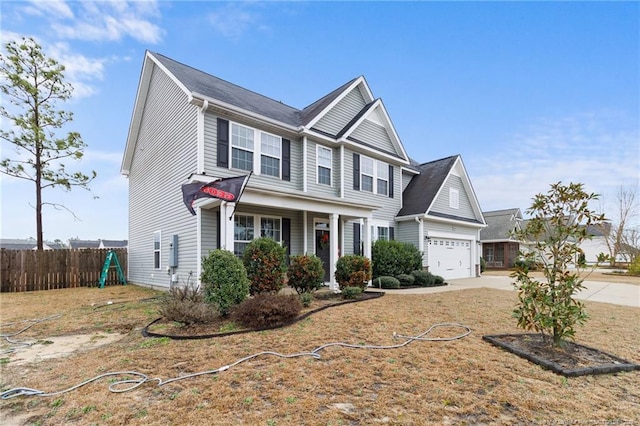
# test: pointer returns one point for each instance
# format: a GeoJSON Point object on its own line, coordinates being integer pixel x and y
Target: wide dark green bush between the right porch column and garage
{"type": "Point", "coordinates": [391, 258]}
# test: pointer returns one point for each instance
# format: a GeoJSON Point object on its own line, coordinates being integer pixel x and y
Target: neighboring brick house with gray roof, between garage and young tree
{"type": "Point", "coordinates": [499, 248]}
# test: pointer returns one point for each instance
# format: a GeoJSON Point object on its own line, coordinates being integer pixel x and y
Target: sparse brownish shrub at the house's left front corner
{"type": "Point", "coordinates": [185, 304]}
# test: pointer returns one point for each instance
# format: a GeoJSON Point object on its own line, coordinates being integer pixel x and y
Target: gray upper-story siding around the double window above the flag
{"type": "Point", "coordinates": [261, 181]}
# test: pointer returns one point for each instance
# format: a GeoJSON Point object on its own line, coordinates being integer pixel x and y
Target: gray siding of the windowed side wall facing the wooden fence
{"type": "Point", "coordinates": [165, 155]}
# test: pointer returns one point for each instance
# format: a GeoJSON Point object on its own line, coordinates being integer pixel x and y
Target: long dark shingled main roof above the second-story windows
{"type": "Point", "coordinates": [197, 81]}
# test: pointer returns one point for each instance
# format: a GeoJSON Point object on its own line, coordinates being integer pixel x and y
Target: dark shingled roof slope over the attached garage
{"type": "Point", "coordinates": [422, 189]}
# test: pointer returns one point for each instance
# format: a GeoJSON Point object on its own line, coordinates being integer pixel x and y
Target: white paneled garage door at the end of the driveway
{"type": "Point", "coordinates": [450, 258]}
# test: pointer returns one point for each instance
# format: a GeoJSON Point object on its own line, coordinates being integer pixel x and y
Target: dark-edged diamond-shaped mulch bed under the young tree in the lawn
{"type": "Point", "coordinates": [570, 360]}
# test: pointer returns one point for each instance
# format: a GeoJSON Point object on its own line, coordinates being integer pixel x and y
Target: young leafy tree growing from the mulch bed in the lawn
{"type": "Point", "coordinates": [557, 227]}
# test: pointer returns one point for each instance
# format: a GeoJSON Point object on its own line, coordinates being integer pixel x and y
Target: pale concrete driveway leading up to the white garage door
{"type": "Point", "coordinates": [595, 291]}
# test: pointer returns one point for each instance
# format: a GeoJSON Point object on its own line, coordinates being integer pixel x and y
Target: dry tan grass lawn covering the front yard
{"type": "Point", "coordinates": [463, 381]}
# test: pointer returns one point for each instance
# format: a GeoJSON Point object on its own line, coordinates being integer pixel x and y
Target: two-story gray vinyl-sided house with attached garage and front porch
{"type": "Point", "coordinates": [328, 179]}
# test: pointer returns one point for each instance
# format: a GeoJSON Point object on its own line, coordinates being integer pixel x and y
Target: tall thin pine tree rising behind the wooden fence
{"type": "Point", "coordinates": [34, 84]}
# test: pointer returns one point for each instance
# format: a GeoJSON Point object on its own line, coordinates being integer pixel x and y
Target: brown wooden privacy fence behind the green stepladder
{"type": "Point", "coordinates": [31, 270]}
